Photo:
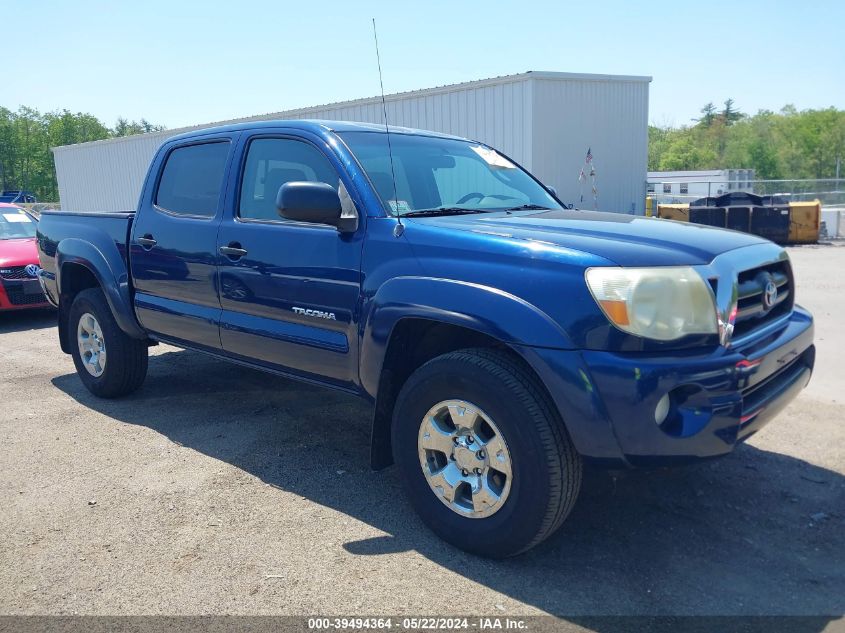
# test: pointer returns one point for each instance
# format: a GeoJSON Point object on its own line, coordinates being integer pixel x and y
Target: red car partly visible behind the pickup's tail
{"type": "Point", "coordinates": [19, 286]}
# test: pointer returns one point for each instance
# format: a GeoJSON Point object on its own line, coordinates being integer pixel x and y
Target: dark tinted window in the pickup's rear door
{"type": "Point", "coordinates": [192, 178]}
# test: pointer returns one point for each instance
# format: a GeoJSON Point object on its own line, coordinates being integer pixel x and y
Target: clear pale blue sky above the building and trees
{"type": "Point", "coordinates": [181, 62]}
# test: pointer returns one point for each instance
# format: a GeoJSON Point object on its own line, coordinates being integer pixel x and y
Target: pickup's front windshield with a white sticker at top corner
{"type": "Point", "coordinates": [437, 173]}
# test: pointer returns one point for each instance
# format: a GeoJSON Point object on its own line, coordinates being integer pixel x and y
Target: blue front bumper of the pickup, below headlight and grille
{"type": "Point", "coordinates": [718, 399]}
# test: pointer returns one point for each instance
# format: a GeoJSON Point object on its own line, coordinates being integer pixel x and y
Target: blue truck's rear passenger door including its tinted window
{"type": "Point", "coordinates": [173, 250]}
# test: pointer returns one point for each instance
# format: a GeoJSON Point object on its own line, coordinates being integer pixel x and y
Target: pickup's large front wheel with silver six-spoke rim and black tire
{"type": "Point", "coordinates": [484, 456]}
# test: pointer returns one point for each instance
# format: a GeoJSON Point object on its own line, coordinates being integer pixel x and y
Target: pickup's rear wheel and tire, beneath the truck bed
{"type": "Point", "coordinates": [109, 362]}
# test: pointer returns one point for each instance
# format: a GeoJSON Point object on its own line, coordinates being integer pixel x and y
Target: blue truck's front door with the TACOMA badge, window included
{"type": "Point", "coordinates": [289, 290]}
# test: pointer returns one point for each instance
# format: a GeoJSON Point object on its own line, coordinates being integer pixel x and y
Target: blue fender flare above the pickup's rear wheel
{"type": "Point", "coordinates": [109, 269]}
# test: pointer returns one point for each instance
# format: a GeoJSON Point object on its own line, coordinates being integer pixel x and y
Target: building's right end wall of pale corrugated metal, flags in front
{"type": "Point", "coordinates": [608, 117]}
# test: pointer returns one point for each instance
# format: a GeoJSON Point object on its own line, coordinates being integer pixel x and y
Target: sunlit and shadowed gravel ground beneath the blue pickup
{"type": "Point", "coordinates": [215, 489]}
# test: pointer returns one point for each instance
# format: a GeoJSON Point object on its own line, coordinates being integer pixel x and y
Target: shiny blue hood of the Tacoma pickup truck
{"type": "Point", "coordinates": [625, 240]}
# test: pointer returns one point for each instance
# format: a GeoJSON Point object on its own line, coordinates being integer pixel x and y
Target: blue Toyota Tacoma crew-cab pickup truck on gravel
{"type": "Point", "coordinates": [503, 339]}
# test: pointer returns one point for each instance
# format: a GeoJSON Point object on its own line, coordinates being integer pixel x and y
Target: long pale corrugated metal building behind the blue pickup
{"type": "Point", "coordinates": [546, 121]}
